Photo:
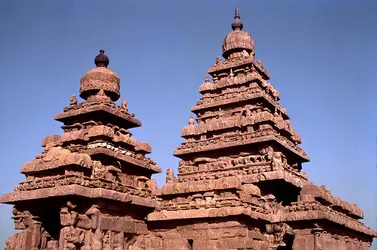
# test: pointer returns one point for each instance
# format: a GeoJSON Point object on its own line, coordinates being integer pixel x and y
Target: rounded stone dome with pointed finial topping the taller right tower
{"type": "Point", "coordinates": [237, 40]}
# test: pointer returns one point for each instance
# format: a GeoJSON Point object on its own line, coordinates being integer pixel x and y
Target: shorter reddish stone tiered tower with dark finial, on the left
{"type": "Point", "coordinates": [91, 187]}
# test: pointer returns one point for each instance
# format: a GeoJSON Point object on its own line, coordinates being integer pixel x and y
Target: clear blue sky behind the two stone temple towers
{"type": "Point", "coordinates": [321, 56]}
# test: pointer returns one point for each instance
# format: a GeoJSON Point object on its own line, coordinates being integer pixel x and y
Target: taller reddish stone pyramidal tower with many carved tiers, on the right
{"type": "Point", "coordinates": [240, 184]}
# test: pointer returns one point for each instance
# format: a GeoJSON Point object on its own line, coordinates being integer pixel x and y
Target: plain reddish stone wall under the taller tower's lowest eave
{"type": "Point", "coordinates": [204, 236]}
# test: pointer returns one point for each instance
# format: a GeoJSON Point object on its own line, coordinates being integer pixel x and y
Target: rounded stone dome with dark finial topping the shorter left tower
{"type": "Point", "coordinates": [99, 78]}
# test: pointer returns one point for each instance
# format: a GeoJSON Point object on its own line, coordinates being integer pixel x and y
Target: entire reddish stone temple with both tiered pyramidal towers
{"type": "Point", "coordinates": [239, 183]}
